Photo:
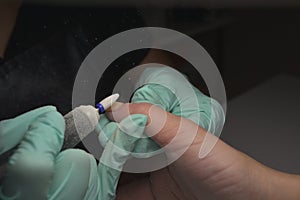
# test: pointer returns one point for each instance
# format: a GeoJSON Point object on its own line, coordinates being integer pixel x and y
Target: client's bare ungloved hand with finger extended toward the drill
{"type": "Point", "coordinates": [225, 173]}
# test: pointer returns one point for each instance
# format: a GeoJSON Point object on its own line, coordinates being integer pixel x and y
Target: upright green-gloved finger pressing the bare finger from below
{"type": "Point", "coordinates": [123, 139]}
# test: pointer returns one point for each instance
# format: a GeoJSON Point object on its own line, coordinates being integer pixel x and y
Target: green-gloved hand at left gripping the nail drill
{"type": "Point", "coordinates": [38, 170]}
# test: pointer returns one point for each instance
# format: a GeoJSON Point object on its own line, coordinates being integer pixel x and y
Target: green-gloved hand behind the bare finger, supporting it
{"type": "Point", "coordinates": [169, 89]}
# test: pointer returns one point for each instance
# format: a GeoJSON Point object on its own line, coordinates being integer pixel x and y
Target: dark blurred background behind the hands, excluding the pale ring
{"type": "Point", "coordinates": [255, 45]}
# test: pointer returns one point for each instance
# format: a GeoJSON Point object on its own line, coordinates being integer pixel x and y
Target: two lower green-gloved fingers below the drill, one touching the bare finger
{"type": "Point", "coordinates": [77, 175]}
